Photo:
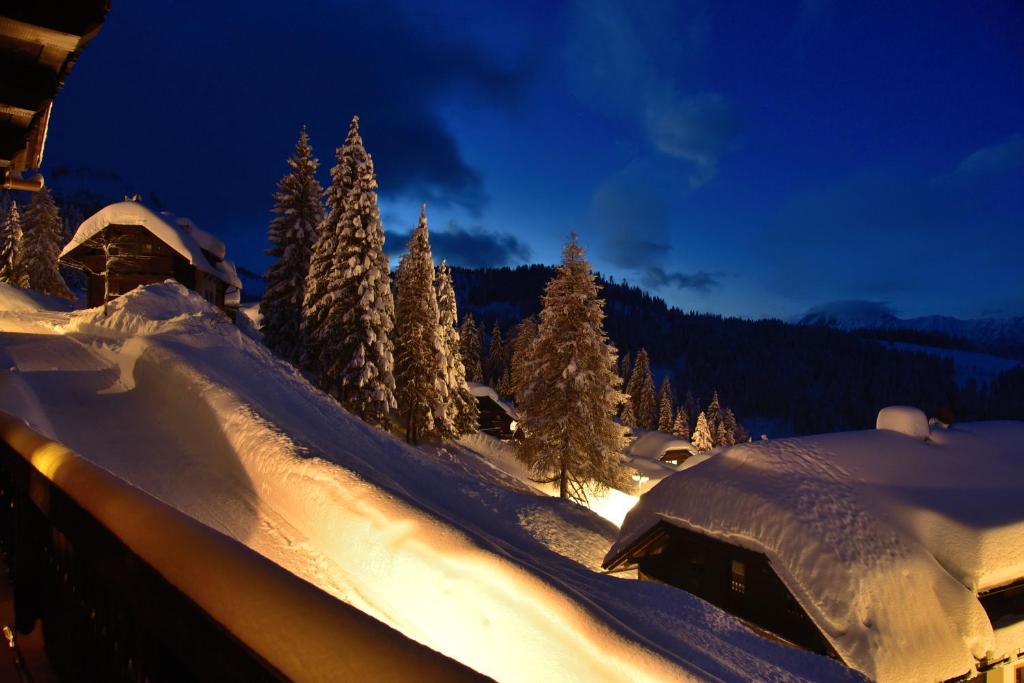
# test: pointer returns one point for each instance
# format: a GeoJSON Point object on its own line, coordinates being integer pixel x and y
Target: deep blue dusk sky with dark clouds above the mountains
{"type": "Point", "coordinates": [753, 159]}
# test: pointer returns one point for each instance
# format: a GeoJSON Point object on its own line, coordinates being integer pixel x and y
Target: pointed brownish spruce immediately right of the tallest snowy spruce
{"type": "Point", "coordinates": [420, 365]}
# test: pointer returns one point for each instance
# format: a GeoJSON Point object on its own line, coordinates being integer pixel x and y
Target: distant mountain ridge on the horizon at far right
{"type": "Point", "coordinates": [1001, 336]}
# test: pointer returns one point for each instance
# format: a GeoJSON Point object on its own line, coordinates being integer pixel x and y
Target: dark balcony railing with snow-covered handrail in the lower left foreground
{"type": "Point", "coordinates": [131, 589]}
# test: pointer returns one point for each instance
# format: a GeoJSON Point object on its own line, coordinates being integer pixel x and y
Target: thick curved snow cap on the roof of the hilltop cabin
{"type": "Point", "coordinates": [181, 235]}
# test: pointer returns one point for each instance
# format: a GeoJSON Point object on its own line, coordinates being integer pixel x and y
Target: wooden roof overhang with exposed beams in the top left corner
{"type": "Point", "coordinates": [39, 42]}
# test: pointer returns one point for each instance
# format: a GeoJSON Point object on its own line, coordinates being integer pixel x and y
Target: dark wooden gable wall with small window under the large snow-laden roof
{"type": "Point", "coordinates": [737, 580]}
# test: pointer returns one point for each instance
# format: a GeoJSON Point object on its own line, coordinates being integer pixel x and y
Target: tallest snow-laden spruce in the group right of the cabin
{"type": "Point", "coordinates": [350, 312]}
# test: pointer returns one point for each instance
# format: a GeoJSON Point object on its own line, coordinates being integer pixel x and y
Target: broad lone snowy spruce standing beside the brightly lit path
{"type": "Point", "coordinates": [570, 402]}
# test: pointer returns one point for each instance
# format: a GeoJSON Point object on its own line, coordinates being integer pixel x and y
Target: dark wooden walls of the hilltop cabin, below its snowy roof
{"type": "Point", "coordinates": [133, 258]}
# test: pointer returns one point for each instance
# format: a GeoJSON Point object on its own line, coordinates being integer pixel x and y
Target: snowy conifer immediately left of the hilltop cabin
{"type": "Point", "coordinates": [41, 240]}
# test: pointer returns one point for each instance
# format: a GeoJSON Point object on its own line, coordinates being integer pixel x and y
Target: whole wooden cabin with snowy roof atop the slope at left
{"type": "Point", "coordinates": [126, 245]}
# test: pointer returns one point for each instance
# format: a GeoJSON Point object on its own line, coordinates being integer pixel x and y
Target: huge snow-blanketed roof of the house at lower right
{"type": "Point", "coordinates": [884, 538]}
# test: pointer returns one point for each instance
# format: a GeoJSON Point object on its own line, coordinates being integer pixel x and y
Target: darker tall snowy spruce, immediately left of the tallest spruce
{"type": "Point", "coordinates": [297, 216]}
